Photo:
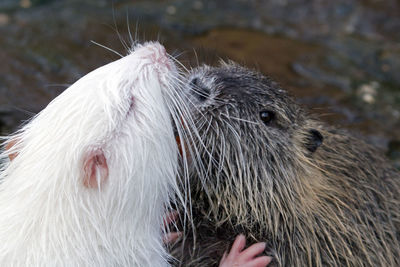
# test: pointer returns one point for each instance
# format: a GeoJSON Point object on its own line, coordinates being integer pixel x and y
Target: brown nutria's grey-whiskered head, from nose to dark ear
{"type": "Point", "coordinates": [254, 137]}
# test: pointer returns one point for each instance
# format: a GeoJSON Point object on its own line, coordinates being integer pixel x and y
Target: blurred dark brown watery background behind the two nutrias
{"type": "Point", "coordinates": [340, 58]}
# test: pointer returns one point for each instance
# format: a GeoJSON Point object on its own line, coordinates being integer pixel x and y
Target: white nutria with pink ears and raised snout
{"type": "Point", "coordinates": [93, 172]}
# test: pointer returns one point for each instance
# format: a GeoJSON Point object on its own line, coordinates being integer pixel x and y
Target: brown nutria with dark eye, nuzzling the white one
{"type": "Point", "coordinates": [314, 193]}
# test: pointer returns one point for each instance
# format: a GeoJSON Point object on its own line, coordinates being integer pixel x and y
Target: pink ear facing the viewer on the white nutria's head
{"type": "Point", "coordinates": [95, 169]}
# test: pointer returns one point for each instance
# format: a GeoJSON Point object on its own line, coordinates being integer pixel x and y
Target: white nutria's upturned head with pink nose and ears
{"type": "Point", "coordinates": [113, 122]}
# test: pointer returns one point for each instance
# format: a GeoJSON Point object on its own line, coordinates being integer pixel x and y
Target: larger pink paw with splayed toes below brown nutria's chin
{"type": "Point", "coordinates": [237, 257]}
